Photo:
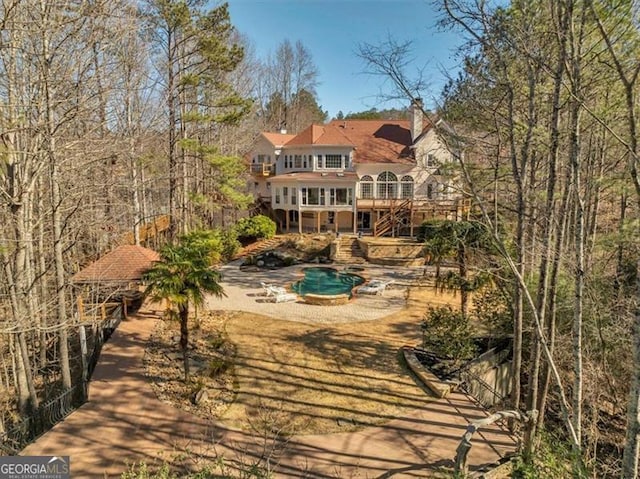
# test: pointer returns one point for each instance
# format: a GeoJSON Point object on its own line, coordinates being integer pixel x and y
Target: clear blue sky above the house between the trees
{"type": "Point", "coordinates": [332, 29]}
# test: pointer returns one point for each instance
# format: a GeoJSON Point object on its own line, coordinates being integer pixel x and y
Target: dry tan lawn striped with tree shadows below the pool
{"type": "Point", "coordinates": [303, 378]}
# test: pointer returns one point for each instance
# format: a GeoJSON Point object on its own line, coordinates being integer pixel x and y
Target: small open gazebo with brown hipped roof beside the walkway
{"type": "Point", "coordinates": [118, 274]}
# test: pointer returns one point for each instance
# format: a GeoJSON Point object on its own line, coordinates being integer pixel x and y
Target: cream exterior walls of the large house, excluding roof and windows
{"type": "Point", "coordinates": [431, 198]}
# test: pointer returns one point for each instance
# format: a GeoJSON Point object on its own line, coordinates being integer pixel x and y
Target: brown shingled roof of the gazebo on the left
{"type": "Point", "coordinates": [125, 263]}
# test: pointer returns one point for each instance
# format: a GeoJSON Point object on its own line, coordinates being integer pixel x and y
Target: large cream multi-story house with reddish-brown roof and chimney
{"type": "Point", "coordinates": [383, 177]}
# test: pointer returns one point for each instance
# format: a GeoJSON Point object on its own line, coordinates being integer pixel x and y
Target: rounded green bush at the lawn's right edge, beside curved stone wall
{"type": "Point", "coordinates": [447, 334]}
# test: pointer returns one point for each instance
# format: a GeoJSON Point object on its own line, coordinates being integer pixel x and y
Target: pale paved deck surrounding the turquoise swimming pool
{"type": "Point", "coordinates": [244, 292]}
